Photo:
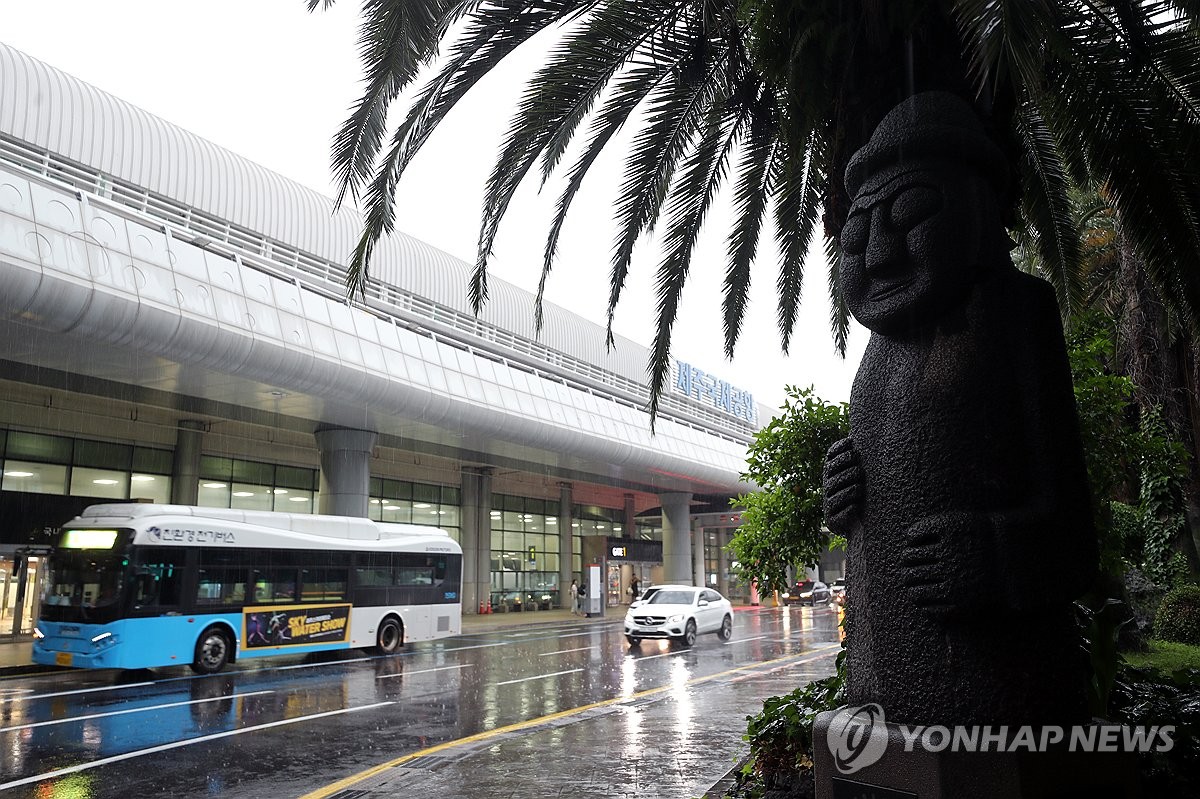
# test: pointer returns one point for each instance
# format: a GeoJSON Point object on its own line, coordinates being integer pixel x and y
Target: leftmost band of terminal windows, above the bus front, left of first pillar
{"type": "Point", "coordinates": [76, 467]}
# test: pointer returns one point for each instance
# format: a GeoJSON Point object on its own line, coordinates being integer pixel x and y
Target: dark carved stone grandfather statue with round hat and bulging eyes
{"type": "Point", "coordinates": [962, 489]}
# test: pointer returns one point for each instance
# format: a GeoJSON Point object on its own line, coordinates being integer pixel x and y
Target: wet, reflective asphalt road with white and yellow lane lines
{"type": "Point", "coordinates": [566, 710]}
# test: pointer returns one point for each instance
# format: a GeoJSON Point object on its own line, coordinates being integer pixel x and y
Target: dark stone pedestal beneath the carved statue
{"type": "Point", "coordinates": [922, 774]}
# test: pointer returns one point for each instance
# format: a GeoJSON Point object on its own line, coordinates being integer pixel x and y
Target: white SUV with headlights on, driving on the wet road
{"type": "Point", "coordinates": [681, 614]}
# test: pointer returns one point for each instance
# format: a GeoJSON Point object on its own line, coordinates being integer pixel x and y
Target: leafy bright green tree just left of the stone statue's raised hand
{"type": "Point", "coordinates": [782, 524]}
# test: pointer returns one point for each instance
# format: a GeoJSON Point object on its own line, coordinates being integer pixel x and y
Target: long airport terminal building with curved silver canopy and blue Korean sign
{"type": "Point", "coordinates": [176, 328]}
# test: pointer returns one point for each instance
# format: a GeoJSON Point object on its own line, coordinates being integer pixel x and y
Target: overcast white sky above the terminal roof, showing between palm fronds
{"type": "Point", "coordinates": [272, 82]}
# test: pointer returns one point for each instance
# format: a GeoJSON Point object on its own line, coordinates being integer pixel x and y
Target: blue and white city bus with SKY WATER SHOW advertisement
{"type": "Point", "coordinates": [139, 586]}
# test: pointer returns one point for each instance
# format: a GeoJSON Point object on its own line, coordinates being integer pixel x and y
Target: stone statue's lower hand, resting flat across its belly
{"type": "Point", "coordinates": [945, 567]}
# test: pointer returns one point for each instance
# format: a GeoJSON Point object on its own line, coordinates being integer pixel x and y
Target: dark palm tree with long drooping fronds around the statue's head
{"type": "Point", "coordinates": [770, 99]}
